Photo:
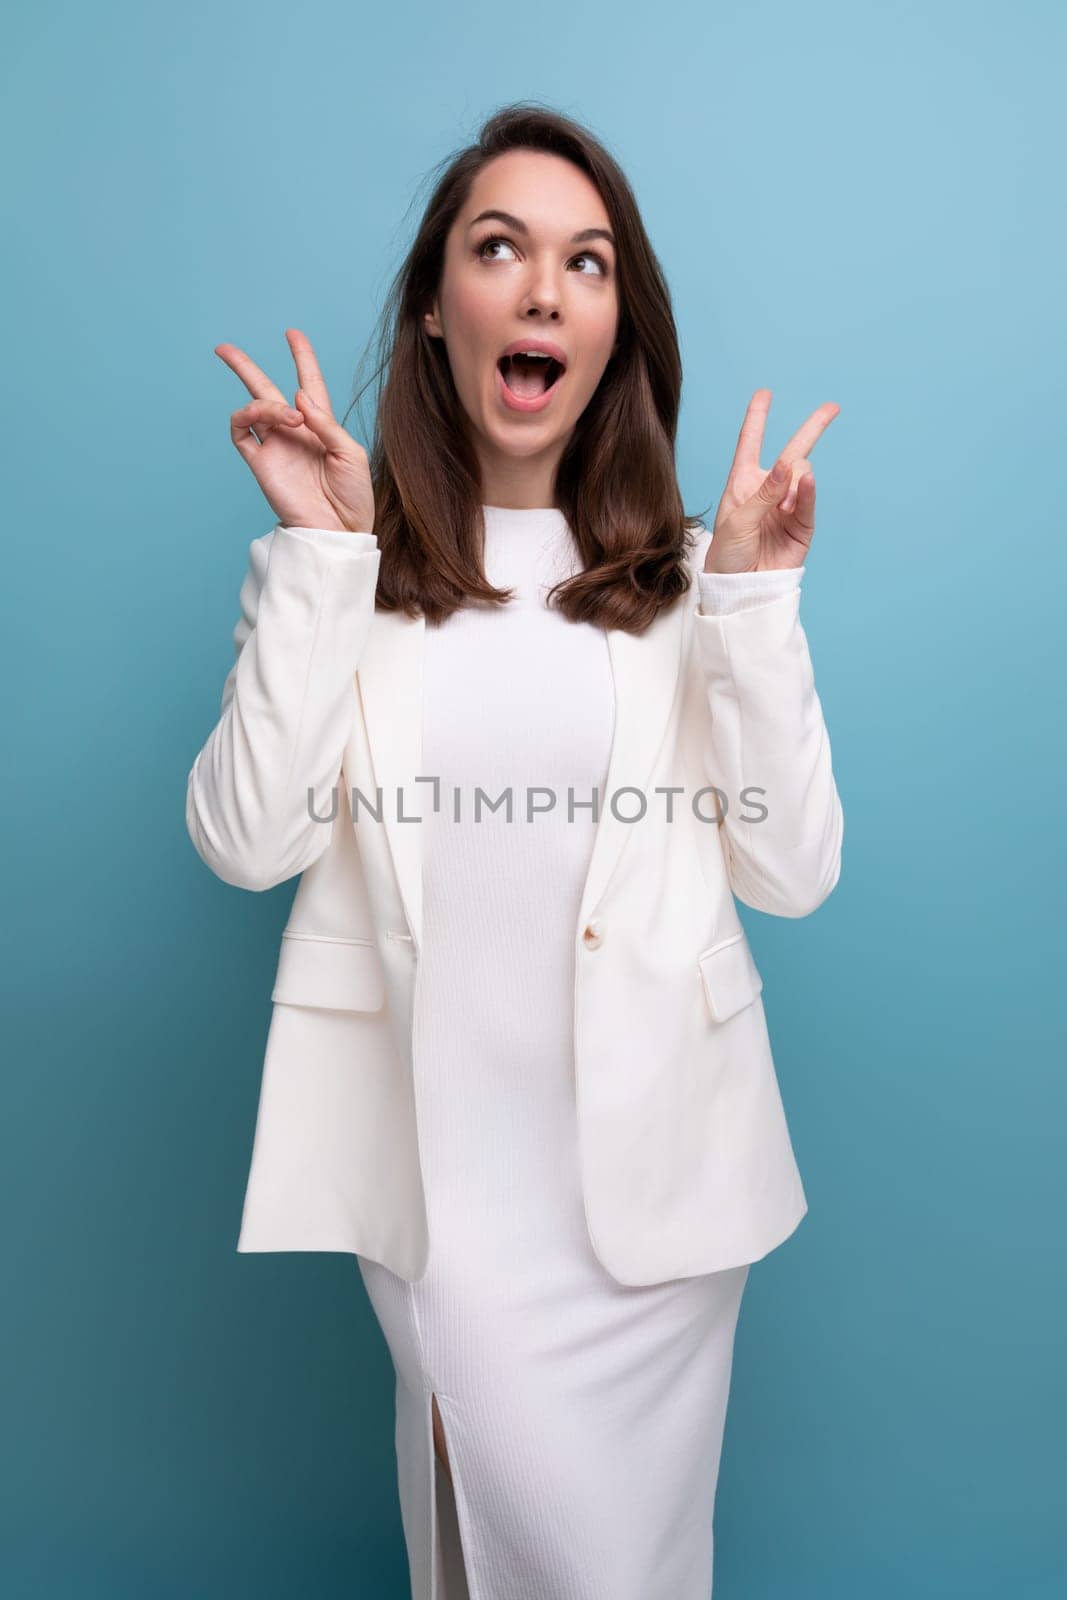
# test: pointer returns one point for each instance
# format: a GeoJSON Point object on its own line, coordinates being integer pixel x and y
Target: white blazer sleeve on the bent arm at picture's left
{"type": "Point", "coordinates": [289, 705]}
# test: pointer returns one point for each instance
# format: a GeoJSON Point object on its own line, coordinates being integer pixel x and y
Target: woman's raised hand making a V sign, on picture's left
{"type": "Point", "coordinates": [313, 473]}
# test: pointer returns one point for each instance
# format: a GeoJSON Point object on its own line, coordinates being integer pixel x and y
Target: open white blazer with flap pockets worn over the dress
{"type": "Point", "coordinates": [685, 1156]}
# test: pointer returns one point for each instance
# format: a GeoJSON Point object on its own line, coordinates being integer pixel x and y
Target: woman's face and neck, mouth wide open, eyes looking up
{"type": "Point", "coordinates": [541, 271]}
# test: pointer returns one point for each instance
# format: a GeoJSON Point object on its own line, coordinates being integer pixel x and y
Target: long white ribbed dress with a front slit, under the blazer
{"type": "Point", "coordinates": [583, 1418]}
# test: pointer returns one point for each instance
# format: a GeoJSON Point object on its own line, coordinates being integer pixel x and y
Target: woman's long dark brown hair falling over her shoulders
{"type": "Point", "coordinates": [617, 481]}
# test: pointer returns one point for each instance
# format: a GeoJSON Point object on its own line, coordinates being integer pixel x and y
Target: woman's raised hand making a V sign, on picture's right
{"type": "Point", "coordinates": [767, 521]}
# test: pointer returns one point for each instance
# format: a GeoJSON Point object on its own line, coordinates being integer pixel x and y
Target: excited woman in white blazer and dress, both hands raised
{"type": "Point", "coordinates": [564, 1415]}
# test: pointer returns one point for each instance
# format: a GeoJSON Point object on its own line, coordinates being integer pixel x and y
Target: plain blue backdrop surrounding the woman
{"type": "Point", "coordinates": [853, 202]}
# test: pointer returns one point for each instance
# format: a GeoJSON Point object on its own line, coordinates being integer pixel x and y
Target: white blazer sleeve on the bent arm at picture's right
{"type": "Point", "coordinates": [770, 751]}
